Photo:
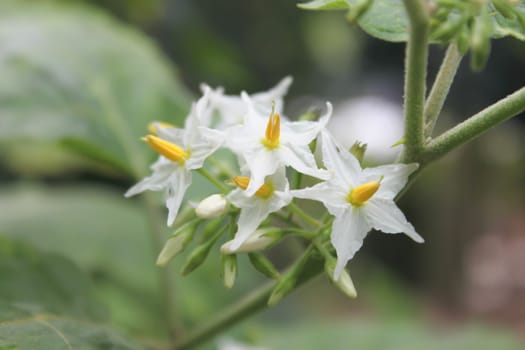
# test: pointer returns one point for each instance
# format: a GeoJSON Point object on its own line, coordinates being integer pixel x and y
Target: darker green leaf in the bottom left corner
{"type": "Point", "coordinates": [48, 303]}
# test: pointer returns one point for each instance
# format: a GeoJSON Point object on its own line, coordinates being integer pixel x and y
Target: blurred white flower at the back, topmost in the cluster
{"type": "Point", "coordinates": [231, 109]}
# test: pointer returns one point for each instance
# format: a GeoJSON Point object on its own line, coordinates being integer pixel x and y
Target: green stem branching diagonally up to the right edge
{"type": "Point", "coordinates": [475, 126]}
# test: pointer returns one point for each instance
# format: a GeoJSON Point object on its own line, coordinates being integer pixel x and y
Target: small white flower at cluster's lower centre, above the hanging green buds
{"type": "Point", "coordinates": [271, 196]}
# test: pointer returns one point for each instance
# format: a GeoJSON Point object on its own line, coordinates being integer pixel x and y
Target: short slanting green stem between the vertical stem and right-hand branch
{"type": "Point", "coordinates": [441, 87]}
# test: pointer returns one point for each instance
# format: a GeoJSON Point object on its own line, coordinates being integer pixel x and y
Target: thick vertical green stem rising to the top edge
{"type": "Point", "coordinates": [415, 78]}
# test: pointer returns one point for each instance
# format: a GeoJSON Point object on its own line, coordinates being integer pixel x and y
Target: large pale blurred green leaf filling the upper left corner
{"type": "Point", "coordinates": [70, 72]}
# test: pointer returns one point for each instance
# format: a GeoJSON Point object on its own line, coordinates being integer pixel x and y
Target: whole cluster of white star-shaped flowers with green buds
{"type": "Point", "coordinates": [267, 145]}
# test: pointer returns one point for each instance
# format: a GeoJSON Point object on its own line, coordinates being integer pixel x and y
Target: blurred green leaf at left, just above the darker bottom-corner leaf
{"type": "Point", "coordinates": [101, 232]}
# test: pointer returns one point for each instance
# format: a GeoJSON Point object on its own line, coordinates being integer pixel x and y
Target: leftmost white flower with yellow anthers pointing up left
{"type": "Point", "coordinates": [181, 150]}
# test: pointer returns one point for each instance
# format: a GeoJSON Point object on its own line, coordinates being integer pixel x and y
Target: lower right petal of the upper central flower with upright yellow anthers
{"type": "Point", "coordinates": [301, 159]}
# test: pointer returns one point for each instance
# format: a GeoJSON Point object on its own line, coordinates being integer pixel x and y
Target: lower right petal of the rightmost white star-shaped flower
{"type": "Point", "coordinates": [384, 215]}
